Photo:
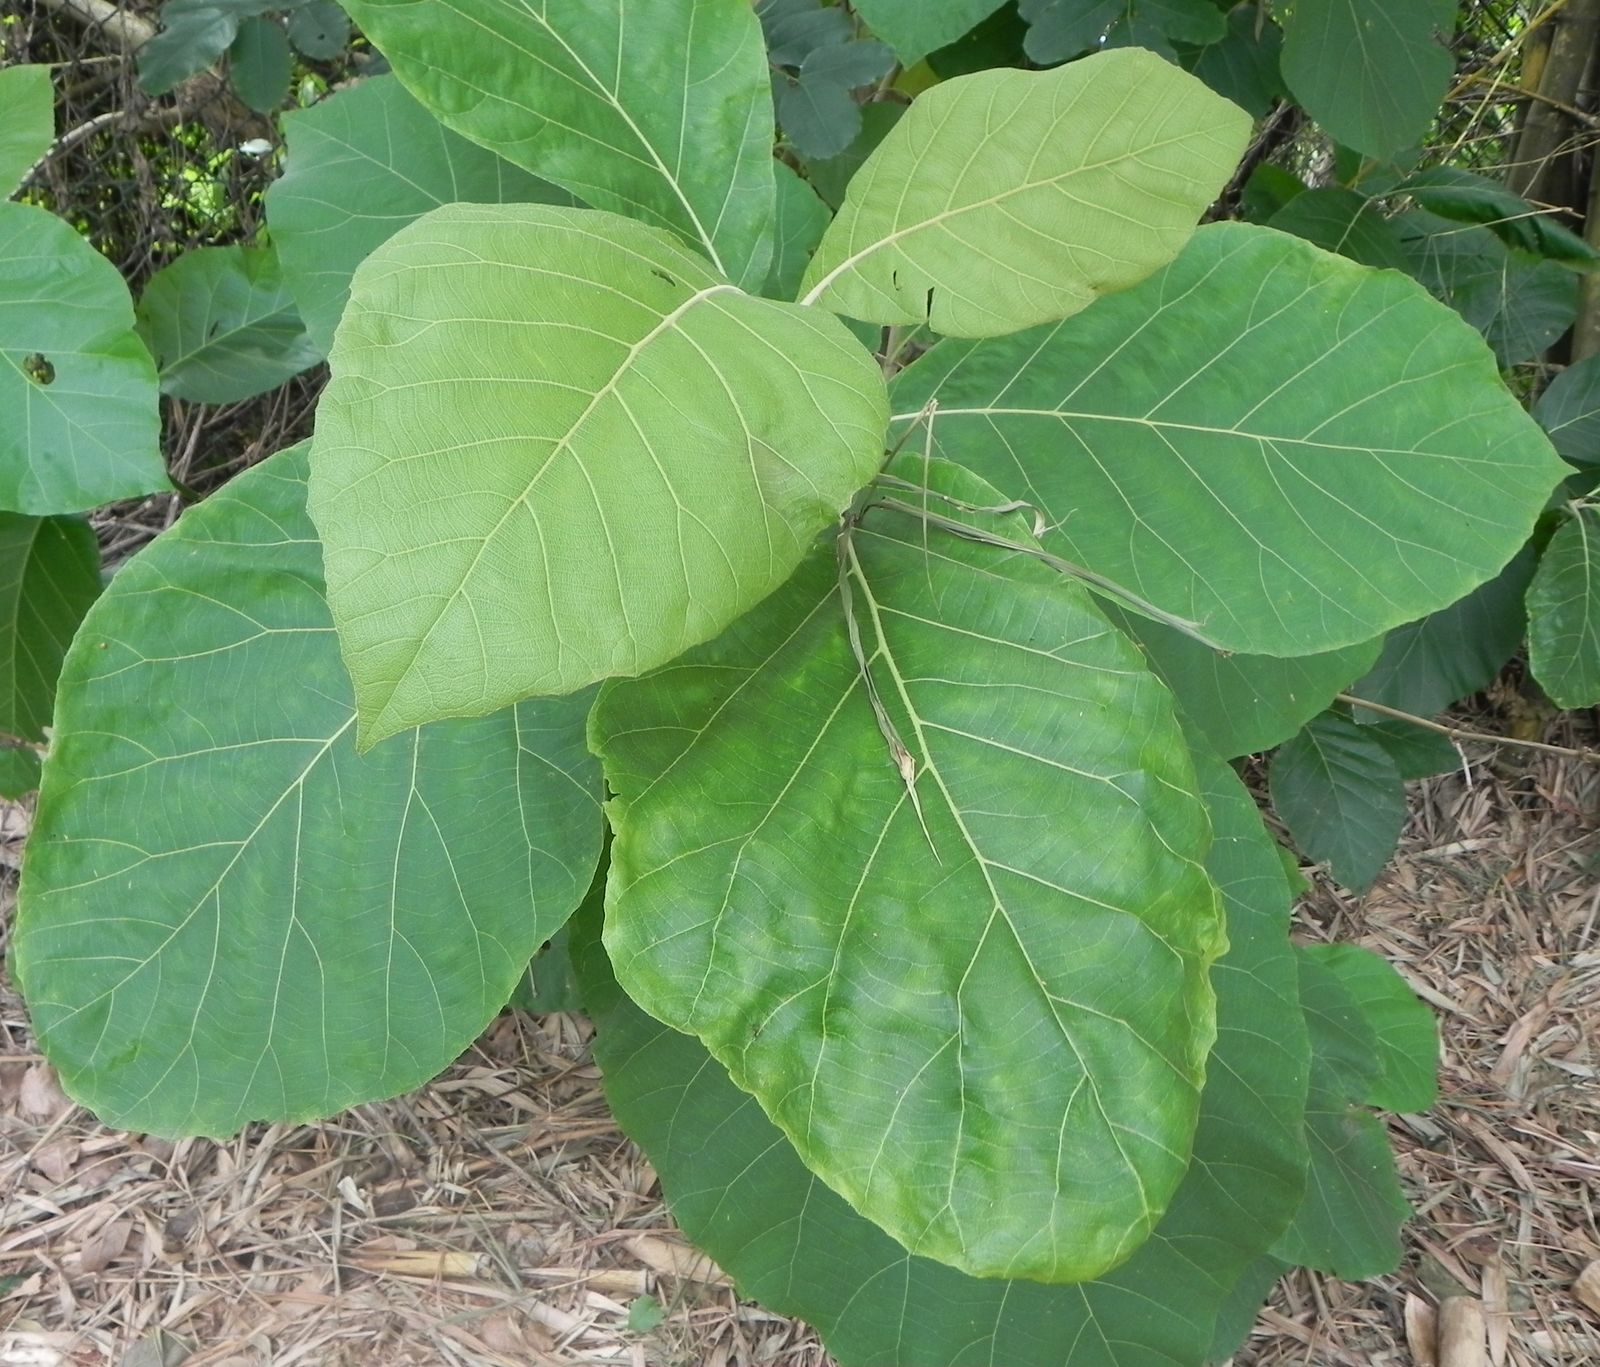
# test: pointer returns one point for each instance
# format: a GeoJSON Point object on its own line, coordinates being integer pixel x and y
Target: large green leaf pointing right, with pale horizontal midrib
{"type": "Point", "coordinates": [1276, 444]}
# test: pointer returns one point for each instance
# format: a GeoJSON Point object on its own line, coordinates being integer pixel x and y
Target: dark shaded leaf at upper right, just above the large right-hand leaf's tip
{"type": "Point", "coordinates": [1521, 307]}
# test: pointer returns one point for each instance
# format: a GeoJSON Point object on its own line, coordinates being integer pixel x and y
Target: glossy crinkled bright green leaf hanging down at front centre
{"type": "Point", "coordinates": [985, 1030]}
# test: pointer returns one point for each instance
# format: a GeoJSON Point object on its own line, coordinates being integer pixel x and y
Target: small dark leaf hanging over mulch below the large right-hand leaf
{"type": "Point", "coordinates": [1340, 793]}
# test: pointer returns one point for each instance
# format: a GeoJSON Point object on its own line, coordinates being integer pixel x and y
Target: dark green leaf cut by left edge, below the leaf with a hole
{"type": "Point", "coordinates": [49, 579]}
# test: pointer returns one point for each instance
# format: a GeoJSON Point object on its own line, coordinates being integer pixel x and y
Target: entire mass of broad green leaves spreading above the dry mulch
{"type": "Point", "coordinates": [905, 575]}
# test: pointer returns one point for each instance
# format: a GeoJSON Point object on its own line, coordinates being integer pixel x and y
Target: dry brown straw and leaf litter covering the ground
{"type": "Point", "coordinates": [497, 1217]}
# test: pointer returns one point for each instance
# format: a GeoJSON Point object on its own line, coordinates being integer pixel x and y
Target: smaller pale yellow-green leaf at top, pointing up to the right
{"type": "Point", "coordinates": [1007, 198]}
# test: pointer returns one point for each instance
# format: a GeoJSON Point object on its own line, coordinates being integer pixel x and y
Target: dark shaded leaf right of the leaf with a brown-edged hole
{"type": "Point", "coordinates": [223, 326]}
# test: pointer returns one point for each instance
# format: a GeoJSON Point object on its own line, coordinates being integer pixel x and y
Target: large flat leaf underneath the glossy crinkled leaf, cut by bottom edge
{"type": "Point", "coordinates": [743, 1195]}
